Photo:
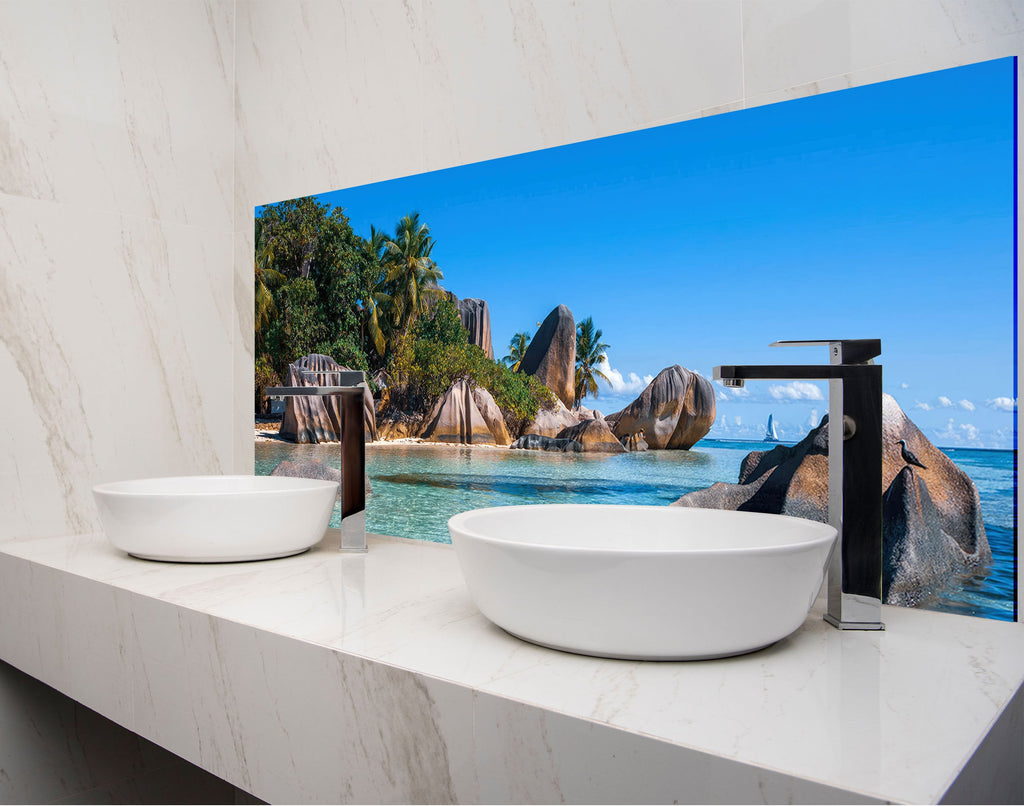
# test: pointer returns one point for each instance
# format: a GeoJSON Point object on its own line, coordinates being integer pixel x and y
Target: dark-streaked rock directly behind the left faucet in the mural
{"type": "Point", "coordinates": [318, 419]}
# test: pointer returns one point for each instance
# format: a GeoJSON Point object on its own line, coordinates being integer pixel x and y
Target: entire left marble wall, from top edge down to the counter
{"type": "Point", "coordinates": [117, 312]}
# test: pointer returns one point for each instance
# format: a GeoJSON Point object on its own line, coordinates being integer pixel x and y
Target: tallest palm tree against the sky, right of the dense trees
{"type": "Point", "coordinates": [412, 275]}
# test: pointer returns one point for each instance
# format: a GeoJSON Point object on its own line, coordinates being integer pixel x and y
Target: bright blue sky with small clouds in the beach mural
{"type": "Point", "coordinates": [877, 213]}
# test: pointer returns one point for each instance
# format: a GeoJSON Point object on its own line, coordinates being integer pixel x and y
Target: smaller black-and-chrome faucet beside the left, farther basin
{"type": "Point", "coordinates": [350, 387]}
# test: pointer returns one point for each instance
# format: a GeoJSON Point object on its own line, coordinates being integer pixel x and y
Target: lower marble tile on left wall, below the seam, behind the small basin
{"type": "Point", "coordinates": [117, 353]}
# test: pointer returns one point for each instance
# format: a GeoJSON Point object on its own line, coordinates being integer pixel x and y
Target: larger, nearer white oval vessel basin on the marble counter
{"type": "Point", "coordinates": [635, 582]}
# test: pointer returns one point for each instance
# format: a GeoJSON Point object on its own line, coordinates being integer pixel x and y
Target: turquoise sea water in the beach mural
{"type": "Point", "coordinates": [418, 488]}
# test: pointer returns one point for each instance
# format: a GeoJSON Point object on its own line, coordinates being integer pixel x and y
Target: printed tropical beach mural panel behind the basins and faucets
{"type": "Point", "coordinates": [543, 328]}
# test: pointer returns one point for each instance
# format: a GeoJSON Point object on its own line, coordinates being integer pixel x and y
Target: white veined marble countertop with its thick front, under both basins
{"type": "Point", "coordinates": [330, 677]}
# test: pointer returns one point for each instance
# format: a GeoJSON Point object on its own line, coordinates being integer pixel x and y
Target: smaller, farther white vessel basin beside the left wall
{"type": "Point", "coordinates": [216, 519]}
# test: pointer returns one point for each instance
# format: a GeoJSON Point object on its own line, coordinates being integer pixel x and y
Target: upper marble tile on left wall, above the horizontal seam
{"type": "Point", "coordinates": [120, 106]}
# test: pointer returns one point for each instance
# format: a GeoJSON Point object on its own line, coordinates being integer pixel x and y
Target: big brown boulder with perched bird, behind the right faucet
{"type": "Point", "coordinates": [932, 523]}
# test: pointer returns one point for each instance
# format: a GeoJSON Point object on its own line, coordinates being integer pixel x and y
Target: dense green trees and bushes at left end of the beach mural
{"type": "Point", "coordinates": [371, 304]}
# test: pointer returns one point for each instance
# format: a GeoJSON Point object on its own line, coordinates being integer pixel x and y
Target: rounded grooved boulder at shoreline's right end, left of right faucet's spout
{"type": "Point", "coordinates": [675, 411]}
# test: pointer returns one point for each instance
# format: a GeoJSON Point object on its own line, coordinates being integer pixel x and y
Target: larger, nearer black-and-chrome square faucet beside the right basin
{"type": "Point", "coordinates": [855, 589]}
